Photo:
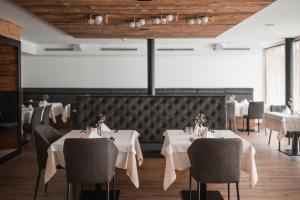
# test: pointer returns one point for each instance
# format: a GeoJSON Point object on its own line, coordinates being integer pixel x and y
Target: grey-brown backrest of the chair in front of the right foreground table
{"type": "Point", "coordinates": [216, 160]}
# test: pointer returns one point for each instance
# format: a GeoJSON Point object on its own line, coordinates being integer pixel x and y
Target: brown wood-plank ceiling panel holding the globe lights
{"type": "Point", "coordinates": [71, 16]}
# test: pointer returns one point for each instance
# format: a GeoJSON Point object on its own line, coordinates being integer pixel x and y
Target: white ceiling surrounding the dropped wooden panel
{"type": "Point", "coordinates": [284, 14]}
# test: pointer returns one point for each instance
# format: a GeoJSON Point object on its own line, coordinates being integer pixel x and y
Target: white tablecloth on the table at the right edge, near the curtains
{"type": "Point", "coordinates": [282, 123]}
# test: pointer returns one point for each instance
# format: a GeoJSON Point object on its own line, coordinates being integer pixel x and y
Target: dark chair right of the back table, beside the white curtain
{"type": "Point", "coordinates": [255, 111]}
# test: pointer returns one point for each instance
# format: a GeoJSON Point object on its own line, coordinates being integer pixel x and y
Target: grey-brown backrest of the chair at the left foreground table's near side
{"type": "Point", "coordinates": [90, 160]}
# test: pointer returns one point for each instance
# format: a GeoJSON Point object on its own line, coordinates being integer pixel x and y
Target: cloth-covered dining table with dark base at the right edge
{"type": "Point", "coordinates": [284, 123]}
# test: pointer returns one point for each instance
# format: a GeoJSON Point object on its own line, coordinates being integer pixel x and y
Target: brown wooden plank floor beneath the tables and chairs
{"type": "Point", "coordinates": [279, 177]}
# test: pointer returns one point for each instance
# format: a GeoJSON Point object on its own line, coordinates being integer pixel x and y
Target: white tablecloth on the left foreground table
{"type": "Point", "coordinates": [126, 141]}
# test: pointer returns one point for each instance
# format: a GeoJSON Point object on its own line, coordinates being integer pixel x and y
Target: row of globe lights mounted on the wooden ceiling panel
{"type": "Point", "coordinates": [98, 20]}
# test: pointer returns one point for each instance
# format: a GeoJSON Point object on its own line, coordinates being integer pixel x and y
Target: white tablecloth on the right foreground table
{"type": "Point", "coordinates": [175, 148]}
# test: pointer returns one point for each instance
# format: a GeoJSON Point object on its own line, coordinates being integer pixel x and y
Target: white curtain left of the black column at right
{"type": "Point", "coordinates": [275, 75]}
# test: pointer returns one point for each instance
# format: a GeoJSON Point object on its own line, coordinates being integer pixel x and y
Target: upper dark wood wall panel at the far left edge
{"type": "Point", "coordinates": [8, 67]}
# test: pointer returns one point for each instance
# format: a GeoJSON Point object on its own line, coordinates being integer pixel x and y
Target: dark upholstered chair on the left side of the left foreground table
{"type": "Point", "coordinates": [44, 136]}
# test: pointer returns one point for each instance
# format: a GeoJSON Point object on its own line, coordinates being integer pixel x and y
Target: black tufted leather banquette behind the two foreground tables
{"type": "Point", "coordinates": [150, 115]}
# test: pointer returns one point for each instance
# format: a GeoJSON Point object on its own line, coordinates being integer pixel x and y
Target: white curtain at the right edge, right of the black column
{"type": "Point", "coordinates": [296, 78]}
